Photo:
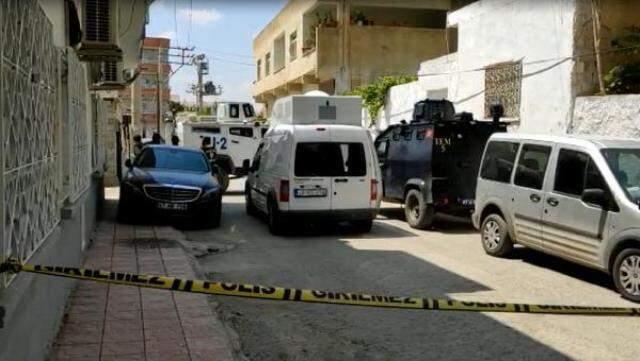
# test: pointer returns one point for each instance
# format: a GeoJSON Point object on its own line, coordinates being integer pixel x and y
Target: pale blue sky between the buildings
{"type": "Point", "coordinates": [221, 29]}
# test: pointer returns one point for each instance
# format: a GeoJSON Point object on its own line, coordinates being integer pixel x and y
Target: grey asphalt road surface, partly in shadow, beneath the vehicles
{"type": "Point", "coordinates": [395, 259]}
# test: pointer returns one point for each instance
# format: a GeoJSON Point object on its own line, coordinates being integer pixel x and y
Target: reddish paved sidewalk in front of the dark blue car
{"type": "Point", "coordinates": [112, 322]}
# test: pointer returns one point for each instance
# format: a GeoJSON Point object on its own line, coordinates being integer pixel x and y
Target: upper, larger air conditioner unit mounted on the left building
{"type": "Point", "coordinates": [99, 21]}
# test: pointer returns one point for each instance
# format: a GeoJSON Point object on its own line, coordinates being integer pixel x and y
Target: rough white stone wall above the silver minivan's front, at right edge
{"type": "Point", "coordinates": [613, 115]}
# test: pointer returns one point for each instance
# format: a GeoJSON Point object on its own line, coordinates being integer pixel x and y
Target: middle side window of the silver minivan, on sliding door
{"type": "Point", "coordinates": [532, 166]}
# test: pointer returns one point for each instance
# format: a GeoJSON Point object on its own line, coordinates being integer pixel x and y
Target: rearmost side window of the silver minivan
{"type": "Point", "coordinates": [498, 161]}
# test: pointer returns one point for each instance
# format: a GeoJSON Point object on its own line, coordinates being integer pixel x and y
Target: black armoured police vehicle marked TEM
{"type": "Point", "coordinates": [431, 164]}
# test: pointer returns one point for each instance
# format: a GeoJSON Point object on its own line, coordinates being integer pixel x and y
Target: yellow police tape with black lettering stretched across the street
{"type": "Point", "coordinates": [311, 296]}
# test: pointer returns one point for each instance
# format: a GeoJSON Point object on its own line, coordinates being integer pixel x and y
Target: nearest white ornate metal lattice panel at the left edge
{"type": "Point", "coordinates": [30, 182]}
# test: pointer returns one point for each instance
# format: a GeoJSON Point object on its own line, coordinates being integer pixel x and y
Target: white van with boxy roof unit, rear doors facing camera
{"type": "Point", "coordinates": [317, 171]}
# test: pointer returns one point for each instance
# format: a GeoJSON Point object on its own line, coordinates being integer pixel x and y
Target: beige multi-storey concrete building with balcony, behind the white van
{"type": "Point", "coordinates": [336, 46]}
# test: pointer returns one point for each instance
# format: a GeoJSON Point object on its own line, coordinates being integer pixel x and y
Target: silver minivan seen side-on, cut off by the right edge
{"type": "Point", "coordinates": [573, 197]}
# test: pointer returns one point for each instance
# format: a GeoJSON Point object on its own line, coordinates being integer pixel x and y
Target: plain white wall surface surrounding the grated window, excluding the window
{"type": "Point", "coordinates": [495, 31]}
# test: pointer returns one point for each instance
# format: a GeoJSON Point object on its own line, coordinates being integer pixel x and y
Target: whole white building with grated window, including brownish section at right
{"type": "Point", "coordinates": [533, 57]}
